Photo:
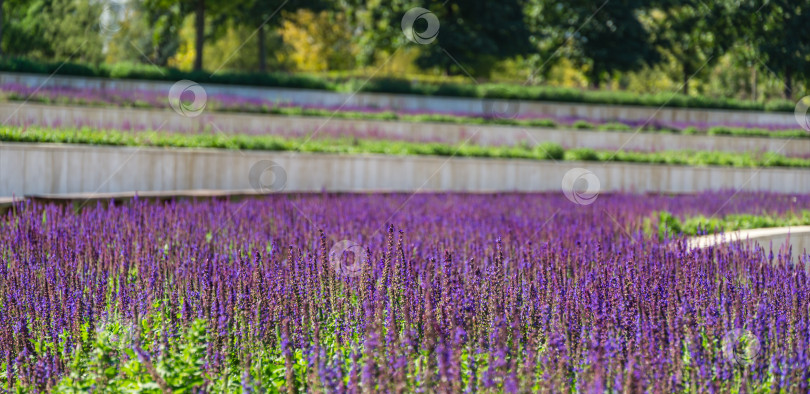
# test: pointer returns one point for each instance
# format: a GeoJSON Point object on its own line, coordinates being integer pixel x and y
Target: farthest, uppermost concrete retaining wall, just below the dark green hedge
{"type": "Point", "coordinates": [425, 103]}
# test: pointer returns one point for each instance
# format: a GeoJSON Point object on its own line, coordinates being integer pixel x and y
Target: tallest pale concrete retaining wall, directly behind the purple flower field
{"type": "Point", "coordinates": [61, 169]}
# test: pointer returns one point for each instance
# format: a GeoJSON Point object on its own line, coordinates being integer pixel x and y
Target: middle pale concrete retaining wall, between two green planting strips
{"type": "Point", "coordinates": [168, 120]}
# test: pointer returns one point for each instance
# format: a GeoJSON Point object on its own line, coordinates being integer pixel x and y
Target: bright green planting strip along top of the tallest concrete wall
{"type": "Point", "coordinates": [545, 151]}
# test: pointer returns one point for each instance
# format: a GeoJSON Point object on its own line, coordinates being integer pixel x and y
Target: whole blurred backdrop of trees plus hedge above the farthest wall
{"type": "Point", "coordinates": [724, 53]}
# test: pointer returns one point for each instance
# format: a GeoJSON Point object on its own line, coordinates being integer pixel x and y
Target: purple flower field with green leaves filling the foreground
{"type": "Point", "coordinates": [396, 293]}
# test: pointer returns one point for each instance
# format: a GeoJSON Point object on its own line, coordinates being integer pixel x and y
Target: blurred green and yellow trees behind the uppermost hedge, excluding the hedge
{"type": "Point", "coordinates": [589, 40]}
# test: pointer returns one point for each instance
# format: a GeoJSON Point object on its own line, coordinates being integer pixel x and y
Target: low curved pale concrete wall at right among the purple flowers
{"type": "Point", "coordinates": [778, 239]}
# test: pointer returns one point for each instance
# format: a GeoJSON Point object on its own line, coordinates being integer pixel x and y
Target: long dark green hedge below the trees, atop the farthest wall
{"type": "Point", "coordinates": [393, 85]}
